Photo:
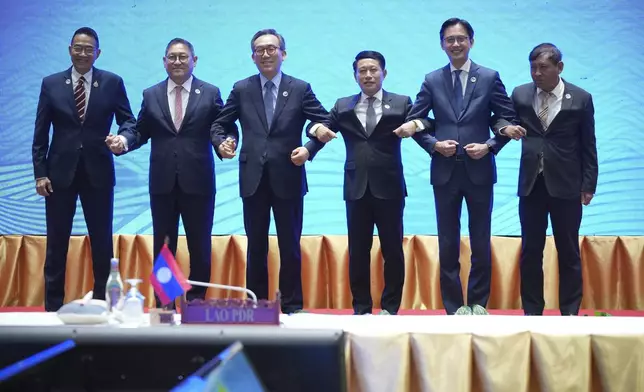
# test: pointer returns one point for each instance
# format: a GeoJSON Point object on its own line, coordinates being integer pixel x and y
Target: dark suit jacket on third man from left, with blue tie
{"type": "Point", "coordinates": [270, 144]}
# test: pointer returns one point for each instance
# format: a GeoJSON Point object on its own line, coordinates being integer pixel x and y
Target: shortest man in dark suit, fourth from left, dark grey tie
{"type": "Point", "coordinates": [374, 183]}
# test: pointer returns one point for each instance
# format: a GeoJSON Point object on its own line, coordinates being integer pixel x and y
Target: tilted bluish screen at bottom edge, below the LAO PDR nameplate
{"type": "Point", "coordinates": [230, 371]}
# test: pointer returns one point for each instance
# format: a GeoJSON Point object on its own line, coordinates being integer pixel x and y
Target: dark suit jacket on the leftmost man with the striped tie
{"type": "Point", "coordinates": [71, 139]}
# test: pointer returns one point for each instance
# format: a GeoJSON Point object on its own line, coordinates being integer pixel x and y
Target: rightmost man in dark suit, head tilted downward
{"type": "Point", "coordinates": [558, 175]}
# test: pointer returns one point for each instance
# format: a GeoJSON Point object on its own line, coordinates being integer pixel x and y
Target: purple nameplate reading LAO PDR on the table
{"type": "Point", "coordinates": [230, 312]}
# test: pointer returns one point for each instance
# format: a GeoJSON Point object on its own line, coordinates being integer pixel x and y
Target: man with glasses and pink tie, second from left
{"type": "Point", "coordinates": [176, 115]}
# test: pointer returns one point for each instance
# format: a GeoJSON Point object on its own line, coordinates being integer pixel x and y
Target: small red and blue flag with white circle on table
{"type": "Point", "coordinates": [166, 278]}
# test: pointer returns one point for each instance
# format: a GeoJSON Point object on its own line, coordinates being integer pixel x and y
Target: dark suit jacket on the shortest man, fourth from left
{"type": "Point", "coordinates": [372, 159]}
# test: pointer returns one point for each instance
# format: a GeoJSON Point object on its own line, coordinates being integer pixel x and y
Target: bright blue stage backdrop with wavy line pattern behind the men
{"type": "Point", "coordinates": [599, 40]}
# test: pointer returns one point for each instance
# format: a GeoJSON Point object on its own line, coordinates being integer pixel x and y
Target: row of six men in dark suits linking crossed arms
{"type": "Point", "coordinates": [183, 116]}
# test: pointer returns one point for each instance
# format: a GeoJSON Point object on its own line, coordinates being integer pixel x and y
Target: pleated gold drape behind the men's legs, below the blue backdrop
{"type": "Point", "coordinates": [613, 270]}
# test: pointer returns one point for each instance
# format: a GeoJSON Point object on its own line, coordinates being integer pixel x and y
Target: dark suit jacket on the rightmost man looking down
{"type": "Point", "coordinates": [568, 146]}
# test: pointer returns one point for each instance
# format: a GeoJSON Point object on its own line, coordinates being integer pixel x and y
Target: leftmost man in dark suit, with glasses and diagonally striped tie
{"type": "Point", "coordinates": [81, 104]}
